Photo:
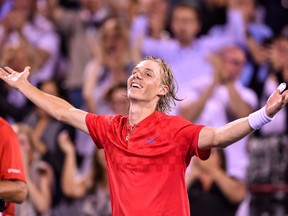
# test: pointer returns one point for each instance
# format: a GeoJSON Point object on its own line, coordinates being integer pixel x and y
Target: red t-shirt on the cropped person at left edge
{"type": "Point", "coordinates": [11, 166]}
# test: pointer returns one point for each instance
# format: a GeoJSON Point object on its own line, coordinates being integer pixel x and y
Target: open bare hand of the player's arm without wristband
{"type": "Point", "coordinates": [14, 78]}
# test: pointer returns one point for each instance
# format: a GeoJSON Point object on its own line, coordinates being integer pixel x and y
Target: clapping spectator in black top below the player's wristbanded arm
{"type": "Point", "coordinates": [209, 185]}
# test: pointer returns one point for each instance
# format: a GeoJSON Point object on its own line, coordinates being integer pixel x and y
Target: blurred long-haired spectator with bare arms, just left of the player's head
{"type": "Point", "coordinates": [111, 66]}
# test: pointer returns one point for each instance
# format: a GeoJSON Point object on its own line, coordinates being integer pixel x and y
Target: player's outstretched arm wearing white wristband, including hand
{"type": "Point", "coordinates": [221, 137]}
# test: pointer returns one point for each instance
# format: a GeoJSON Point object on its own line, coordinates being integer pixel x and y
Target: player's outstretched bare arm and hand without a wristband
{"type": "Point", "coordinates": [54, 106]}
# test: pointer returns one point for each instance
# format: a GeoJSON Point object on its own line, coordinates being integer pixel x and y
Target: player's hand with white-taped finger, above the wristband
{"type": "Point", "coordinates": [277, 101]}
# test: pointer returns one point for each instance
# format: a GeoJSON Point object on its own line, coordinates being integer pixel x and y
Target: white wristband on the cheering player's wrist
{"type": "Point", "coordinates": [259, 118]}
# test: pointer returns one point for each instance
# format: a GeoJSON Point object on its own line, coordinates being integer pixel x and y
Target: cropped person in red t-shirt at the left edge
{"type": "Point", "coordinates": [13, 188]}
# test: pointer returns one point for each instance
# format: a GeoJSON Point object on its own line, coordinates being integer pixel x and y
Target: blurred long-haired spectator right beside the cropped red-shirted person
{"type": "Point", "coordinates": [39, 176]}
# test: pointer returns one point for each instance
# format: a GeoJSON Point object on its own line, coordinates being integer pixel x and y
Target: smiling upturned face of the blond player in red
{"type": "Point", "coordinates": [145, 83]}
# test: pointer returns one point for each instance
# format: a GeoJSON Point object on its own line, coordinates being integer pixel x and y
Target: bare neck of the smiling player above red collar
{"type": "Point", "coordinates": [138, 112]}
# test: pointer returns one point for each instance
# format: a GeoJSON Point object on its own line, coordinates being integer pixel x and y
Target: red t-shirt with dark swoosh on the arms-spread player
{"type": "Point", "coordinates": [146, 173]}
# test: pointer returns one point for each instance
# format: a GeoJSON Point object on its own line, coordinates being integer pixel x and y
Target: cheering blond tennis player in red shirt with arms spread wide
{"type": "Point", "coordinates": [147, 152]}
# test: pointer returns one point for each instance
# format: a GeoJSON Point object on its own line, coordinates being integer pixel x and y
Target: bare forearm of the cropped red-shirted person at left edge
{"type": "Point", "coordinates": [13, 191]}
